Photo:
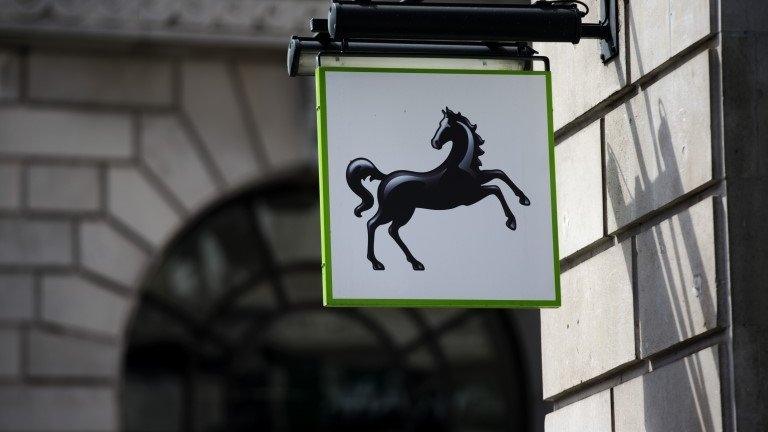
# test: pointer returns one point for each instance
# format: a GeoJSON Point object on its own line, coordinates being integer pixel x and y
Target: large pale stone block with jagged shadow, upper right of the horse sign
{"type": "Point", "coordinates": [659, 144]}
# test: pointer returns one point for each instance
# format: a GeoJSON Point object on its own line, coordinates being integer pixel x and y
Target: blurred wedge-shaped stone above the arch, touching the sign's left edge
{"type": "Point", "coordinates": [284, 128]}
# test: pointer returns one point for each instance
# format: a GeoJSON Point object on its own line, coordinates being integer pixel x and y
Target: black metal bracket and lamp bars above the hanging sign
{"type": "Point", "coordinates": [410, 27]}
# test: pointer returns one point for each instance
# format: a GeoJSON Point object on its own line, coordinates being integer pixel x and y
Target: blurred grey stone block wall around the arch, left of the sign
{"type": "Point", "coordinates": [103, 157]}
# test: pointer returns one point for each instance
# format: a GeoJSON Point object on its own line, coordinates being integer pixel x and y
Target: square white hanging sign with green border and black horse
{"type": "Point", "coordinates": [437, 188]}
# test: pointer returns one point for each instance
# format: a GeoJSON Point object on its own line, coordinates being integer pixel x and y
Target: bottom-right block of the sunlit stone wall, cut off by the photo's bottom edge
{"type": "Point", "coordinates": [683, 396]}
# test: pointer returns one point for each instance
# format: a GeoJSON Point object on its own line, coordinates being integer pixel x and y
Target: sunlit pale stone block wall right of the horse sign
{"type": "Point", "coordinates": [642, 340]}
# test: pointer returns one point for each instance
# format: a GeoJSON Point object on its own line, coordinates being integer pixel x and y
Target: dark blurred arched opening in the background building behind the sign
{"type": "Point", "coordinates": [230, 335]}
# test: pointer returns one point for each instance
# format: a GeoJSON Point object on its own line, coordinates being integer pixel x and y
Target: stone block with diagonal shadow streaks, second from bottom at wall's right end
{"type": "Point", "coordinates": [676, 277]}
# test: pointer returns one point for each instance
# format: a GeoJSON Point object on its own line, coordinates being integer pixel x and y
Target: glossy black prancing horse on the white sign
{"type": "Point", "coordinates": [457, 181]}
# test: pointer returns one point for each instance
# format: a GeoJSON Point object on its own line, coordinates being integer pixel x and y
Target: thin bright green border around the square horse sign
{"type": "Point", "coordinates": [325, 216]}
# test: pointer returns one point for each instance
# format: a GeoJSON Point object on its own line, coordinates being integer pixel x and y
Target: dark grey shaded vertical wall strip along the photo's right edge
{"type": "Point", "coordinates": [745, 131]}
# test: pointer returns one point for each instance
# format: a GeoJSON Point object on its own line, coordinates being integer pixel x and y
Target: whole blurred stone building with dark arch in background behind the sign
{"type": "Point", "coordinates": [159, 242]}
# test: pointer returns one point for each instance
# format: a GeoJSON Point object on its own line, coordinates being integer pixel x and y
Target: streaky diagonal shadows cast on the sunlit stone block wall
{"type": "Point", "coordinates": [673, 253]}
